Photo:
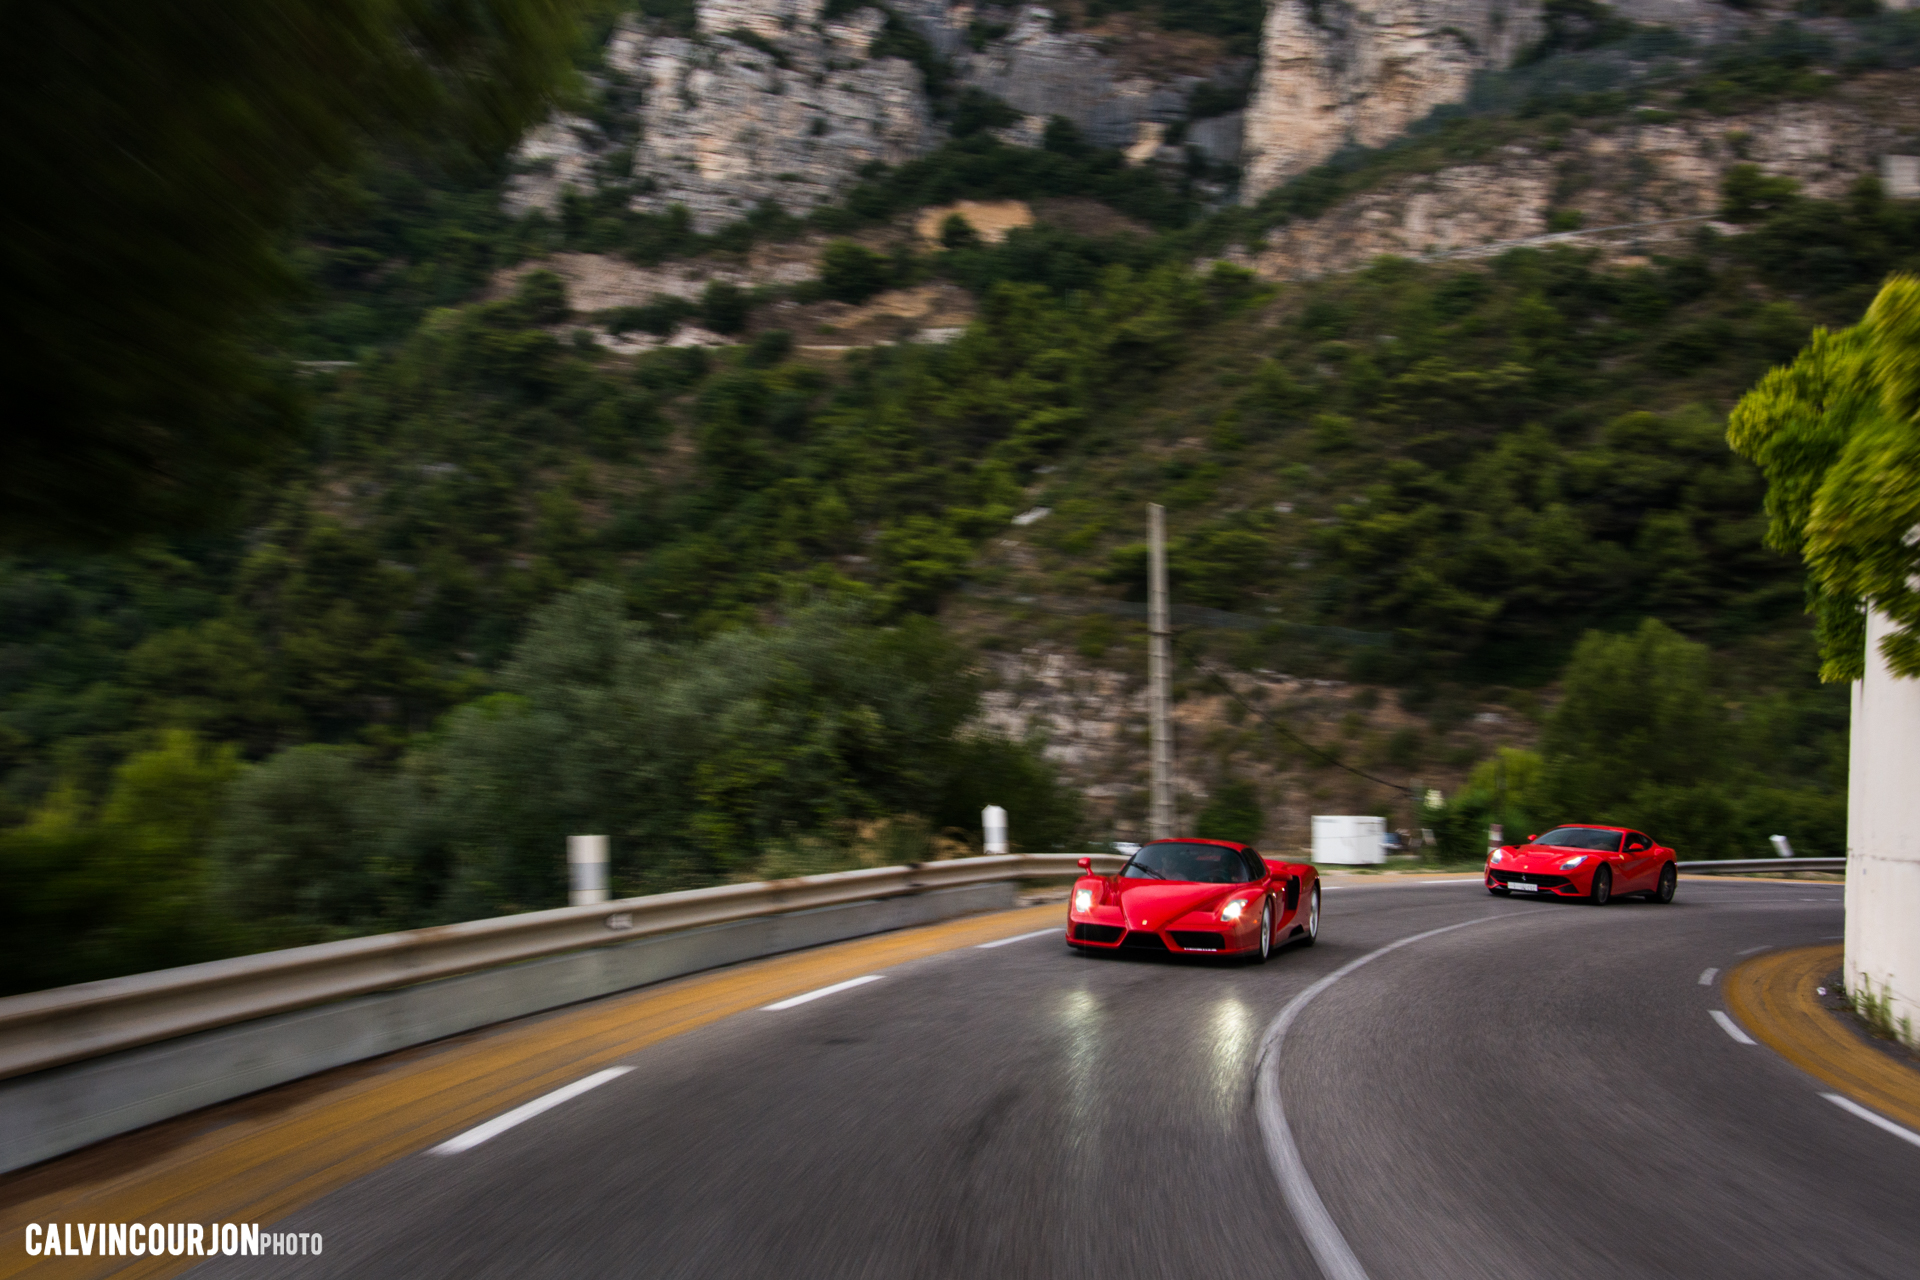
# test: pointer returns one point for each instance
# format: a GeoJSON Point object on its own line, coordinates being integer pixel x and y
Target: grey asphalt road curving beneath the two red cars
{"type": "Point", "coordinates": [1539, 1093]}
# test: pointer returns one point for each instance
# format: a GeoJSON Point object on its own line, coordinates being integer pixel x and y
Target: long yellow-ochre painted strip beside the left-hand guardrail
{"type": "Point", "coordinates": [285, 1149]}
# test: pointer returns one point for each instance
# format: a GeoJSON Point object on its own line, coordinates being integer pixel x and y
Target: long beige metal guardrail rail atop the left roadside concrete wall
{"type": "Point", "coordinates": [72, 1024]}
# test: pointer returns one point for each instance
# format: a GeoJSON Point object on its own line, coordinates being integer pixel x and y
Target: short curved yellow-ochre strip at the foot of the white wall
{"type": "Point", "coordinates": [1773, 997]}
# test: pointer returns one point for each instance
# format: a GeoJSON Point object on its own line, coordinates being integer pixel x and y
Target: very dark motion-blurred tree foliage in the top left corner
{"type": "Point", "coordinates": [166, 147]}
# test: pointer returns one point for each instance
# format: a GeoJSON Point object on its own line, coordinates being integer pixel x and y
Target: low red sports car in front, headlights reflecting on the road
{"type": "Point", "coordinates": [1195, 897]}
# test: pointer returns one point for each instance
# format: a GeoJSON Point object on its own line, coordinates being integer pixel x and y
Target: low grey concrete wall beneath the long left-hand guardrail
{"type": "Point", "coordinates": [53, 1112]}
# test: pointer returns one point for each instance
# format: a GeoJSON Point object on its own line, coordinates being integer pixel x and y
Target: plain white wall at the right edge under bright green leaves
{"type": "Point", "coordinates": [1884, 836]}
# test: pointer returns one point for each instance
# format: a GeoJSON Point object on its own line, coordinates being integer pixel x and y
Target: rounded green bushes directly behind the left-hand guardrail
{"type": "Point", "coordinates": [792, 747]}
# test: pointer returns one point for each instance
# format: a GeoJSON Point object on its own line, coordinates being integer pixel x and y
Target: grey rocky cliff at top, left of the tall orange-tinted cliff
{"type": "Point", "coordinates": [771, 101]}
